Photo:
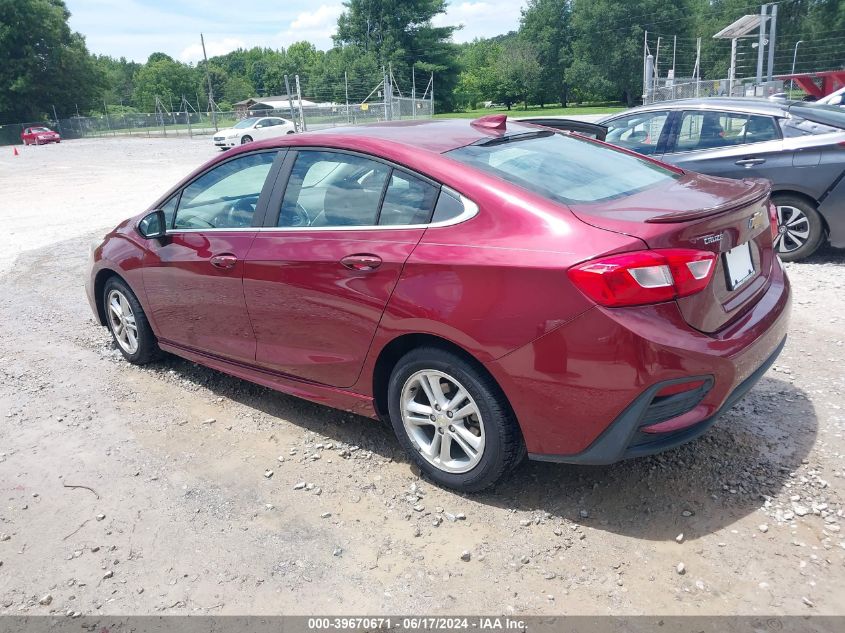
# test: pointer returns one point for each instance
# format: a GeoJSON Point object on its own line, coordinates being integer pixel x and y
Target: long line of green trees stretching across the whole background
{"type": "Point", "coordinates": [562, 51]}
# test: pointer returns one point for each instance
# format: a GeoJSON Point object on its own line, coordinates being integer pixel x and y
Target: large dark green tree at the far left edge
{"type": "Point", "coordinates": [44, 63]}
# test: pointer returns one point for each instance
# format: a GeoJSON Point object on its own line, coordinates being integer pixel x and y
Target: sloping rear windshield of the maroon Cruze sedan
{"type": "Point", "coordinates": [565, 168]}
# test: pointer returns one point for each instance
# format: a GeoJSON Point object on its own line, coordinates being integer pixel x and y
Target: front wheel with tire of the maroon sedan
{"type": "Point", "coordinates": [127, 323]}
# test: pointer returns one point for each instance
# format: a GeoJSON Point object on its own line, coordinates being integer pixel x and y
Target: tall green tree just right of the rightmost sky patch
{"type": "Point", "coordinates": [546, 25]}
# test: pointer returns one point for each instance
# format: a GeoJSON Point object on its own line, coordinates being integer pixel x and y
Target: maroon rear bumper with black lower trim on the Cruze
{"type": "Point", "coordinates": [584, 393]}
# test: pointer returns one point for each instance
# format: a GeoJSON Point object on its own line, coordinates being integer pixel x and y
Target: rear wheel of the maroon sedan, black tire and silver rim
{"type": "Point", "coordinates": [453, 420]}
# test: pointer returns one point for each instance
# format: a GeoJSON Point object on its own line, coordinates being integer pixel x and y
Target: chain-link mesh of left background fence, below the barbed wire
{"type": "Point", "coordinates": [165, 124]}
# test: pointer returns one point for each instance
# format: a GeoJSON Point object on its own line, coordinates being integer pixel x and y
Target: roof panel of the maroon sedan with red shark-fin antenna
{"type": "Point", "coordinates": [435, 135]}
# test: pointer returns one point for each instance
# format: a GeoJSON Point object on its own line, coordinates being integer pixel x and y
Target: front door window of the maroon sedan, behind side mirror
{"type": "Point", "coordinates": [226, 196]}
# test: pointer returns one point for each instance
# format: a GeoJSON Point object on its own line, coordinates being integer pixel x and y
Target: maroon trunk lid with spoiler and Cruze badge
{"type": "Point", "coordinates": [727, 217]}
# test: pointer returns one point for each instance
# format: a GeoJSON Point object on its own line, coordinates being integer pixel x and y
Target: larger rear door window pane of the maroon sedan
{"type": "Point", "coordinates": [333, 189]}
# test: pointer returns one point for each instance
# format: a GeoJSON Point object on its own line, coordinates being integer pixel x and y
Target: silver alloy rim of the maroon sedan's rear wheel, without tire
{"type": "Point", "coordinates": [442, 421]}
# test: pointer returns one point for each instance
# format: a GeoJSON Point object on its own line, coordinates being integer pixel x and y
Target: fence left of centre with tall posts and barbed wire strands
{"type": "Point", "coordinates": [314, 110]}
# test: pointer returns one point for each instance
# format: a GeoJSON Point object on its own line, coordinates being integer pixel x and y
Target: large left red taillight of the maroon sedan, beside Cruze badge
{"type": "Point", "coordinates": [644, 277]}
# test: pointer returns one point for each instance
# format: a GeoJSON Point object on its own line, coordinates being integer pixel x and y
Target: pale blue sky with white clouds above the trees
{"type": "Point", "coordinates": [136, 28]}
